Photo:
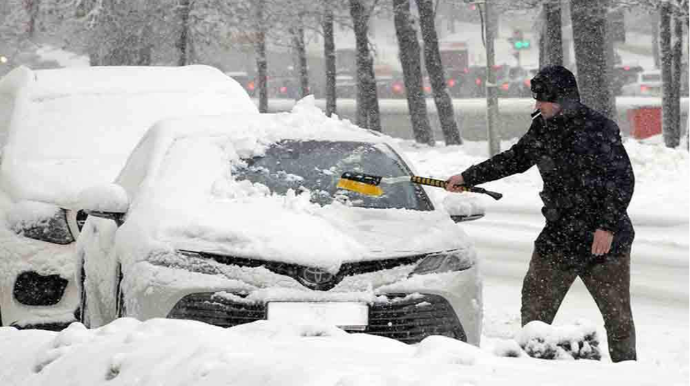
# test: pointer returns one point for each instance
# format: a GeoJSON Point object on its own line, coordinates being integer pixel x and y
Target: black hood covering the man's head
{"type": "Point", "coordinates": [555, 84]}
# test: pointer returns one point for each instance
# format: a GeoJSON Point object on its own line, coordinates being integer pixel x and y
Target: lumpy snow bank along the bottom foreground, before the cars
{"type": "Point", "coordinates": [177, 352]}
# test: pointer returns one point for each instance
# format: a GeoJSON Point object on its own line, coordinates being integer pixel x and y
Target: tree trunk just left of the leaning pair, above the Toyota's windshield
{"type": "Point", "coordinates": [367, 100]}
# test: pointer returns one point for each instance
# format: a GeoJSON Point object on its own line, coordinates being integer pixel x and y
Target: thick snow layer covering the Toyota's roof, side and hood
{"type": "Point", "coordinates": [187, 196]}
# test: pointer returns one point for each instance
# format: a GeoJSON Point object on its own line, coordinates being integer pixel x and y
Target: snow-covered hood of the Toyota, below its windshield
{"type": "Point", "coordinates": [293, 230]}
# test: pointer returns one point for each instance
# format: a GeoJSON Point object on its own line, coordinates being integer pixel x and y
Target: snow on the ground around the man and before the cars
{"type": "Point", "coordinates": [173, 352]}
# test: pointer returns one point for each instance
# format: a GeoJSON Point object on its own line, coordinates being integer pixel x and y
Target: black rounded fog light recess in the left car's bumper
{"type": "Point", "coordinates": [34, 289]}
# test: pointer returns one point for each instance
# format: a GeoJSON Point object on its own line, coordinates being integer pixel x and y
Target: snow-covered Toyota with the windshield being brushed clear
{"type": "Point", "coordinates": [230, 220]}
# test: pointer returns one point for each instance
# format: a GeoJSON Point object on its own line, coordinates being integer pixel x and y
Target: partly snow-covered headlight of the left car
{"type": "Point", "coordinates": [40, 221]}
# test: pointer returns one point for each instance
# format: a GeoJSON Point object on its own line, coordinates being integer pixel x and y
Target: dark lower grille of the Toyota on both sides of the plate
{"type": "Point", "coordinates": [402, 317]}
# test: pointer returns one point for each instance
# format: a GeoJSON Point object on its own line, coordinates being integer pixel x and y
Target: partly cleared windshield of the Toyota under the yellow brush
{"type": "Point", "coordinates": [317, 166]}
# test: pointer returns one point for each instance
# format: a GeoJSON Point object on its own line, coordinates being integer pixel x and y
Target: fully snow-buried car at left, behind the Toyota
{"type": "Point", "coordinates": [61, 131]}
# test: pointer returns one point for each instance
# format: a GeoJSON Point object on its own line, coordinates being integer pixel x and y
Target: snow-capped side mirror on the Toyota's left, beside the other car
{"type": "Point", "coordinates": [109, 201]}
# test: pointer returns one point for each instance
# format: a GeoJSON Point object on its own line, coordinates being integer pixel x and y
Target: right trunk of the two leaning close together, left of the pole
{"type": "Point", "coordinates": [437, 78]}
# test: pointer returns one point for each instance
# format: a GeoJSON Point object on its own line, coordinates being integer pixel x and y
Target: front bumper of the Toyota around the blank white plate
{"type": "Point", "coordinates": [400, 307]}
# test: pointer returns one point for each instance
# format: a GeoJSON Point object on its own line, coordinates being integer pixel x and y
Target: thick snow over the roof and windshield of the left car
{"type": "Point", "coordinates": [73, 128]}
